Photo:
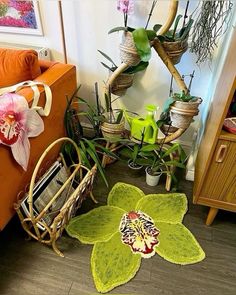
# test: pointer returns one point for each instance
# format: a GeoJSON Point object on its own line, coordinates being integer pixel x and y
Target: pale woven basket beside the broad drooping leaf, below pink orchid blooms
{"type": "Point", "coordinates": [128, 51]}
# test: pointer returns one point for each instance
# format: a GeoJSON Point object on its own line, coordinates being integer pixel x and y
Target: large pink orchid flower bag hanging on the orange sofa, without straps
{"type": "Point", "coordinates": [17, 123]}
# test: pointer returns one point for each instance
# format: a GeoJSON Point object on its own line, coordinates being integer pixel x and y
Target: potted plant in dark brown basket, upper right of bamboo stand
{"type": "Point", "coordinates": [175, 42]}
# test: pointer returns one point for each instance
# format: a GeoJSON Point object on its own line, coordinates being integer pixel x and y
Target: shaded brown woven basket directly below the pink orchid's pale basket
{"type": "Point", "coordinates": [121, 83]}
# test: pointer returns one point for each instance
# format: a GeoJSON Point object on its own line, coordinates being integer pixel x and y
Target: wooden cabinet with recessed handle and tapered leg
{"type": "Point", "coordinates": [215, 169]}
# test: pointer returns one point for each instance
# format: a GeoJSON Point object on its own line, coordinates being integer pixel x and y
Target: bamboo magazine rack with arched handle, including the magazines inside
{"type": "Point", "coordinates": [45, 218]}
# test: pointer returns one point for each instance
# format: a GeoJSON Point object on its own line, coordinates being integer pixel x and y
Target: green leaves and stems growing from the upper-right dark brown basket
{"type": "Point", "coordinates": [174, 34]}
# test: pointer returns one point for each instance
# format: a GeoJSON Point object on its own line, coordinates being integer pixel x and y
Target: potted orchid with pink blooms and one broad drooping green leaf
{"type": "Point", "coordinates": [136, 43]}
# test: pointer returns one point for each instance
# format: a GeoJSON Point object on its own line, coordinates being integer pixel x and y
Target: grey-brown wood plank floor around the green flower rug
{"type": "Point", "coordinates": [27, 267]}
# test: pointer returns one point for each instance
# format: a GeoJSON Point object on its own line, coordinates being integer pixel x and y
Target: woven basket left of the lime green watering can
{"type": "Point", "coordinates": [111, 131]}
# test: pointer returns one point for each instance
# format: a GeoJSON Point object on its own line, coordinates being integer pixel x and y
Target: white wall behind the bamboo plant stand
{"type": "Point", "coordinates": [86, 25]}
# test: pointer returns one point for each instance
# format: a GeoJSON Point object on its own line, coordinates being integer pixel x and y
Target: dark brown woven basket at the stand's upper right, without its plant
{"type": "Point", "coordinates": [175, 50]}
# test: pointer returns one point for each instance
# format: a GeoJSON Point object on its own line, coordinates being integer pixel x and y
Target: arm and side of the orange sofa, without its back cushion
{"type": "Point", "coordinates": [13, 179]}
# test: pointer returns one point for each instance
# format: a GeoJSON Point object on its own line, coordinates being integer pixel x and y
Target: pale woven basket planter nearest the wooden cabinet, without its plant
{"type": "Point", "coordinates": [182, 113]}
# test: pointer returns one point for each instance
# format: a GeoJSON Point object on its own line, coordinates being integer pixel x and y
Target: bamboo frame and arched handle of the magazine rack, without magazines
{"type": "Point", "coordinates": [35, 223]}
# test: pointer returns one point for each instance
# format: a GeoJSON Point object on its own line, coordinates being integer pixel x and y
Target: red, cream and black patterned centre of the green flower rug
{"type": "Point", "coordinates": [139, 232]}
